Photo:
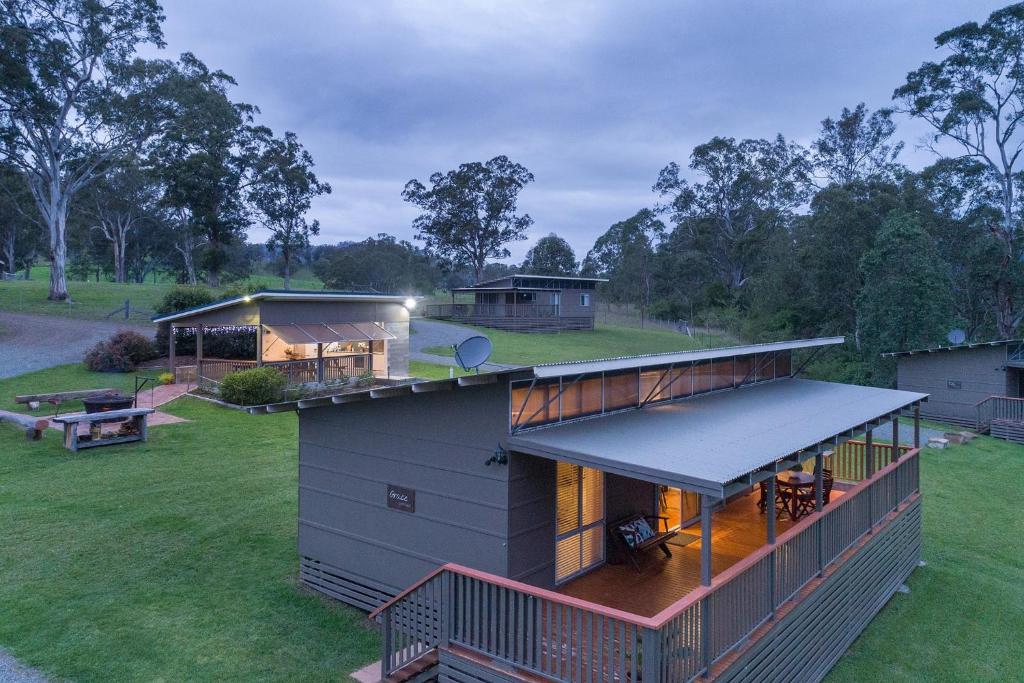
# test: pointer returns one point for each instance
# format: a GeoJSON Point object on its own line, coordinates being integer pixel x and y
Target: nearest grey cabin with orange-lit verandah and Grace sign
{"type": "Point", "coordinates": [658, 519]}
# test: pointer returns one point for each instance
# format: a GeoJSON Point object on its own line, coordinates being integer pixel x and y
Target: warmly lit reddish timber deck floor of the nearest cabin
{"type": "Point", "coordinates": [738, 531]}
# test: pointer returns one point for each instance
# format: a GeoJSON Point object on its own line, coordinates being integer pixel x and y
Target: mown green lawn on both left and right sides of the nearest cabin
{"type": "Point", "coordinates": [176, 560]}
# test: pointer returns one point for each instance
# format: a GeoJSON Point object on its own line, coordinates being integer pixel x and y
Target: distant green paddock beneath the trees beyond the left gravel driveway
{"type": "Point", "coordinates": [93, 301]}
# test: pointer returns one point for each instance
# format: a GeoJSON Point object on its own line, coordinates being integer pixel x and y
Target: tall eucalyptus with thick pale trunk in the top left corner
{"type": "Point", "coordinates": [73, 99]}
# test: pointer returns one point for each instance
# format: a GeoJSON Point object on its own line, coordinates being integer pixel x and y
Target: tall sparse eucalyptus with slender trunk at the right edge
{"type": "Point", "coordinates": [973, 99]}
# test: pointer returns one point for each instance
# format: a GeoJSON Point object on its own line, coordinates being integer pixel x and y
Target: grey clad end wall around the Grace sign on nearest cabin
{"type": "Point", "coordinates": [350, 454]}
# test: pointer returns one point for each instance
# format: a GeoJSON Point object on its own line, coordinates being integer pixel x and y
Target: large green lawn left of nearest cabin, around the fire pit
{"type": "Point", "coordinates": [169, 561]}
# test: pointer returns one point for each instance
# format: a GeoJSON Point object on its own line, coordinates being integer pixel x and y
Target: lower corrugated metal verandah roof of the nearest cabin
{"type": "Point", "coordinates": [706, 443]}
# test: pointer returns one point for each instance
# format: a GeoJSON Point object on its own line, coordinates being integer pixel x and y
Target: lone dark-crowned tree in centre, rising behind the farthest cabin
{"type": "Point", "coordinates": [470, 216]}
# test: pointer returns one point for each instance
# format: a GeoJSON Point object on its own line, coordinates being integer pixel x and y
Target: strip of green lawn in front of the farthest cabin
{"type": "Point", "coordinates": [603, 343]}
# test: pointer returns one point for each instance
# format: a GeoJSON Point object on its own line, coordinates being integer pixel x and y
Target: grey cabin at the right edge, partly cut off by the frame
{"type": "Point", "coordinates": [979, 386]}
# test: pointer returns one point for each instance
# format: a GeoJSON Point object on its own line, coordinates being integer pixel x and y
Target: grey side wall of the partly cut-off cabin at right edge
{"type": "Point", "coordinates": [956, 380]}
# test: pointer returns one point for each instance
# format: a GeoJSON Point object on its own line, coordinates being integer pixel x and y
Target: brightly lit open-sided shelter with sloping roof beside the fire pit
{"type": "Point", "coordinates": [311, 336]}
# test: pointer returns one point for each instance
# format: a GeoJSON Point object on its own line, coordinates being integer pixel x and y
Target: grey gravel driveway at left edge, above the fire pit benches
{"type": "Point", "coordinates": [33, 343]}
